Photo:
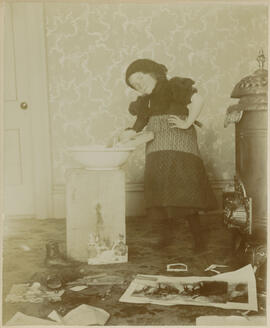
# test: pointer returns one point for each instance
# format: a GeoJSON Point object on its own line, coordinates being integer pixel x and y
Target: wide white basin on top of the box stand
{"type": "Point", "coordinates": [100, 157]}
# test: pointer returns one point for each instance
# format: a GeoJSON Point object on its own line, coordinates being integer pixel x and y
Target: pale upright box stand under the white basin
{"type": "Point", "coordinates": [95, 204]}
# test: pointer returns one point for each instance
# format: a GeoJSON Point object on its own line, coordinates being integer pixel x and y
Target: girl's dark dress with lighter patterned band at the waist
{"type": "Point", "coordinates": [175, 180]}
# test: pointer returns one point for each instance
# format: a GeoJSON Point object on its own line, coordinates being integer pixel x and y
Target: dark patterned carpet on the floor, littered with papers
{"type": "Point", "coordinates": [22, 265]}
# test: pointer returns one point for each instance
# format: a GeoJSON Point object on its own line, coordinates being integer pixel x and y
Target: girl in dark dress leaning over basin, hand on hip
{"type": "Point", "coordinates": [175, 183]}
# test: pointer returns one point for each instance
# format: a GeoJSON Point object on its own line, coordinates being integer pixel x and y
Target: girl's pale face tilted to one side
{"type": "Point", "coordinates": [143, 83]}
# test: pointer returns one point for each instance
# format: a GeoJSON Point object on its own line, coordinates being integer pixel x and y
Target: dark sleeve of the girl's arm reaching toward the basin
{"type": "Point", "coordinates": [141, 110]}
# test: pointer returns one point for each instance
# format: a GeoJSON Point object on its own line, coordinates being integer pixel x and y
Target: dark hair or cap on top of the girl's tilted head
{"type": "Point", "coordinates": [147, 66]}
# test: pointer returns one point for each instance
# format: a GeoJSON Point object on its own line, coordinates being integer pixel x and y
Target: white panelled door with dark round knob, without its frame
{"type": "Point", "coordinates": [18, 156]}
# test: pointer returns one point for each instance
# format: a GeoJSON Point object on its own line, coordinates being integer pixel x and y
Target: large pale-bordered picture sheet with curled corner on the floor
{"type": "Point", "coordinates": [231, 290]}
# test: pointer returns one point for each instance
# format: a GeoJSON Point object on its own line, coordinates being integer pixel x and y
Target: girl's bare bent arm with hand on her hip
{"type": "Point", "coordinates": [195, 108]}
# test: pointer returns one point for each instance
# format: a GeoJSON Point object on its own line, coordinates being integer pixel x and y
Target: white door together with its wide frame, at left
{"type": "Point", "coordinates": [27, 146]}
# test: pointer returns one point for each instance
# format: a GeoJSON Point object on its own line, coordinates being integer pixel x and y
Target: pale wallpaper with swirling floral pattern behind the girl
{"type": "Point", "coordinates": [89, 47]}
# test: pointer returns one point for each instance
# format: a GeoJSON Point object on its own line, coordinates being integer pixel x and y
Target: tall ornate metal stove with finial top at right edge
{"type": "Point", "coordinates": [245, 207]}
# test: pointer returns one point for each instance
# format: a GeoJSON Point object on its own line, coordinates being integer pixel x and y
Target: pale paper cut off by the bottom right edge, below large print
{"type": "Point", "coordinates": [232, 320]}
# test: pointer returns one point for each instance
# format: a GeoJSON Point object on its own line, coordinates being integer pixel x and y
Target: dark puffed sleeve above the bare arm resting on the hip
{"type": "Point", "coordinates": [182, 90]}
